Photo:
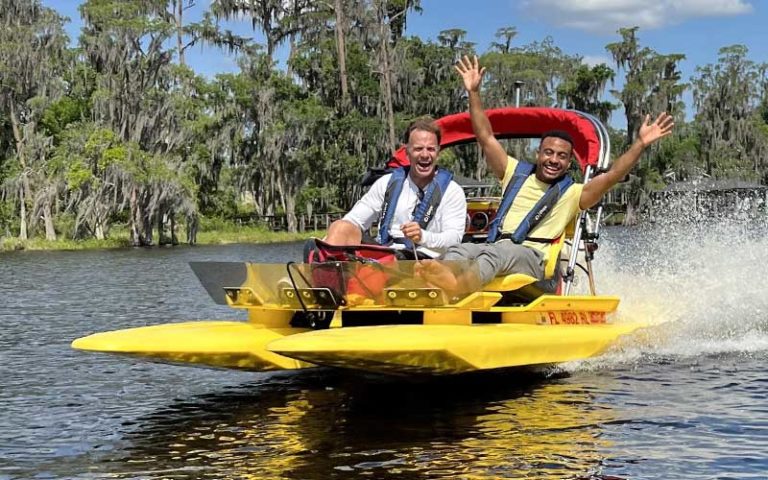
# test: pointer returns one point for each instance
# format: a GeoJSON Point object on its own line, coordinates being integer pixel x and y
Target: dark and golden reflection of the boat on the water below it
{"type": "Point", "coordinates": [336, 426]}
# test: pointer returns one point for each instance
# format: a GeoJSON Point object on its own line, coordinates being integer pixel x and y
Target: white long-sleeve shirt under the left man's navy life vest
{"type": "Point", "coordinates": [445, 229]}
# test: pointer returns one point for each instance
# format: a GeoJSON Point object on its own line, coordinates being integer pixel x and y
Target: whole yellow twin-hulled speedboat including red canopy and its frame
{"type": "Point", "coordinates": [377, 316]}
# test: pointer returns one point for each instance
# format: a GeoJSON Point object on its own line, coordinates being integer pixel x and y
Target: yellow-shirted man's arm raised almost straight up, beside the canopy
{"type": "Point", "coordinates": [495, 155]}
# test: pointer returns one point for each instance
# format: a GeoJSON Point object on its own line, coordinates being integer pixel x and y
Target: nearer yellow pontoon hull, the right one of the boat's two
{"type": "Point", "coordinates": [449, 349]}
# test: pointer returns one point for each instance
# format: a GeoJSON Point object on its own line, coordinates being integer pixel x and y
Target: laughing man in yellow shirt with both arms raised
{"type": "Point", "coordinates": [525, 249]}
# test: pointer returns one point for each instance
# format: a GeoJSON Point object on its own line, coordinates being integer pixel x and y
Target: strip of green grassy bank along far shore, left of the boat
{"type": "Point", "coordinates": [121, 239]}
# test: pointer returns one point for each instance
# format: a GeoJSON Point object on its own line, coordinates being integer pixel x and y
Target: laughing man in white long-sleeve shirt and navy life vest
{"type": "Point", "coordinates": [430, 210]}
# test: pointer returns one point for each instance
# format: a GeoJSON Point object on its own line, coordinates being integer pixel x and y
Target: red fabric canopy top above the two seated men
{"type": "Point", "coordinates": [523, 122]}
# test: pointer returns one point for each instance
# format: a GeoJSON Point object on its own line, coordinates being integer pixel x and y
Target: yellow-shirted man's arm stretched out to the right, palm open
{"type": "Point", "coordinates": [647, 135]}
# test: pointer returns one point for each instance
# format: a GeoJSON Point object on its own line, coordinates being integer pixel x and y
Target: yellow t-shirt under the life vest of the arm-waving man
{"type": "Point", "coordinates": [554, 223]}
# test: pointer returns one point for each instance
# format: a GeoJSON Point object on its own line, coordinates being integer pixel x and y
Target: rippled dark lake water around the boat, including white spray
{"type": "Point", "coordinates": [686, 399]}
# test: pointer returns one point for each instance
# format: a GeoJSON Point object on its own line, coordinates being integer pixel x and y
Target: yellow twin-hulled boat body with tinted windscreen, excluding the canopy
{"type": "Point", "coordinates": [398, 330]}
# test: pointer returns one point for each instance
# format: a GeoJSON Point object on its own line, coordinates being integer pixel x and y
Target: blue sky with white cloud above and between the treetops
{"type": "Point", "coordinates": [695, 28]}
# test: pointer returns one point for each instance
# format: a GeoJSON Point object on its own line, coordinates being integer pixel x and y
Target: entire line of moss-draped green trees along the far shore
{"type": "Point", "coordinates": [117, 135]}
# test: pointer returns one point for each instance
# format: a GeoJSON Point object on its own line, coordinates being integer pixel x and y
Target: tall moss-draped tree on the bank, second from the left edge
{"type": "Point", "coordinates": [134, 97]}
